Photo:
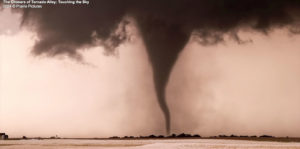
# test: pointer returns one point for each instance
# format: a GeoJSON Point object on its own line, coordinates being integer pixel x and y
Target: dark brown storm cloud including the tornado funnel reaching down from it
{"type": "Point", "coordinates": [165, 26]}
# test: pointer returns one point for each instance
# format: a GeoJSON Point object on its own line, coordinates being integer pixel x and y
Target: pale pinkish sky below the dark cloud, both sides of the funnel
{"type": "Point", "coordinates": [248, 89]}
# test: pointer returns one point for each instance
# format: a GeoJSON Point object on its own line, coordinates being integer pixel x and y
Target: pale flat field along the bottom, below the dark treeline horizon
{"type": "Point", "coordinates": [146, 144]}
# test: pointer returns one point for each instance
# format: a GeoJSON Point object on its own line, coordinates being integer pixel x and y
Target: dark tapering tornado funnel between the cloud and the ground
{"type": "Point", "coordinates": [164, 43]}
